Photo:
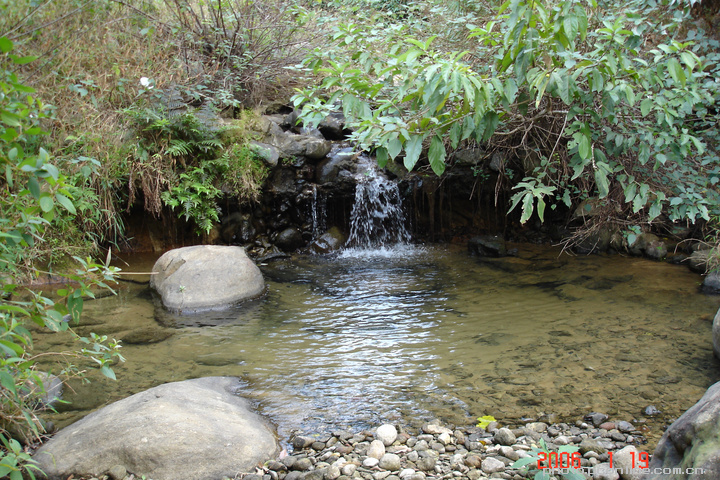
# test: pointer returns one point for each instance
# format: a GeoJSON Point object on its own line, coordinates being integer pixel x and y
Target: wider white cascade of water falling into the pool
{"type": "Point", "coordinates": [377, 219]}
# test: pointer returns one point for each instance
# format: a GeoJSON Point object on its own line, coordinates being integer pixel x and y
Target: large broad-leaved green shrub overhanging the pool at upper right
{"type": "Point", "coordinates": [593, 103]}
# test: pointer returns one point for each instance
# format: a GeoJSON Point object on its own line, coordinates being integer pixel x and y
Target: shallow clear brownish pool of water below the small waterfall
{"type": "Point", "coordinates": [416, 333]}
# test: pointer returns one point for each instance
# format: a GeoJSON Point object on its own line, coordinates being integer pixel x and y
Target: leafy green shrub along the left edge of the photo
{"type": "Point", "coordinates": [36, 198]}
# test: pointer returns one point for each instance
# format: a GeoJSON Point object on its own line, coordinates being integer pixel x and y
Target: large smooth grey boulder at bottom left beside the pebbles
{"type": "Point", "coordinates": [192, 430]}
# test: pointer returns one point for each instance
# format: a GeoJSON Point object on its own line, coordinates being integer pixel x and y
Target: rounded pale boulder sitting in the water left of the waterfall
{"type": "Point", "coordinates": [206, 277]}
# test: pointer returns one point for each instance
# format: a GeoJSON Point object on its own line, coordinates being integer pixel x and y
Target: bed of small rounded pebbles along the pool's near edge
{"type": "Point", "coordinates": [446, 452]}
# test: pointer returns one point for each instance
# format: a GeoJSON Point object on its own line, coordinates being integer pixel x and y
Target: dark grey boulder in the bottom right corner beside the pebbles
{"type": "Point", "coordinates": [691, 442]}
